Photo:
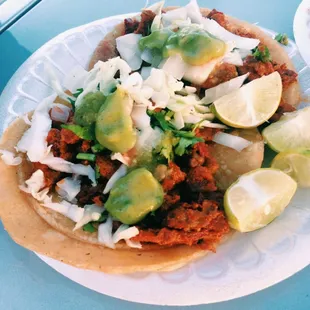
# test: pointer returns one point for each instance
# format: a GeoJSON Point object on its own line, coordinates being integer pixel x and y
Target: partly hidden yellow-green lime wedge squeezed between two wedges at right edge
{"type": "Point", "coordinates": [296, 165]}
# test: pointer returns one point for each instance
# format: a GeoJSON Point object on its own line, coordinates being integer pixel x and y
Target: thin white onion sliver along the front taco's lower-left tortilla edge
{"type": "Point", "coordinates": [72, 211]}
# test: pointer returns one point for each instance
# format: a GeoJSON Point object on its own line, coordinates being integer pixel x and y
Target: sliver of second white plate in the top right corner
{"type": "Point", "coordinates": [302, 29]}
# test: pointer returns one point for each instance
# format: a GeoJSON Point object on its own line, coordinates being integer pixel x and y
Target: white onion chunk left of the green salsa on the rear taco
{"type": "Point", "coordinates": [128, 47]}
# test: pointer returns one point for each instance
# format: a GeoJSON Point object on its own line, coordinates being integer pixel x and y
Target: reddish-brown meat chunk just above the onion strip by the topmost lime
{"type": "Point", "coordinates": [222, 73]}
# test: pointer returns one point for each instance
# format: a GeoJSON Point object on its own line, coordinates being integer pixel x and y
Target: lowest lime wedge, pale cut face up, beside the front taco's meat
{"type": "Point", "coordinates": [257, 198]}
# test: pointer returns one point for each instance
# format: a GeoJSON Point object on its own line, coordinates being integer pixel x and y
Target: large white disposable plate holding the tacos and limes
{"type": "Point", "coordinates": [245, 264]}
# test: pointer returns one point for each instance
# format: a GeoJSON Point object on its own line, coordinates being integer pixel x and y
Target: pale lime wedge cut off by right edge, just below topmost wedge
{"type": "Point", "coordinates": [290, 133]}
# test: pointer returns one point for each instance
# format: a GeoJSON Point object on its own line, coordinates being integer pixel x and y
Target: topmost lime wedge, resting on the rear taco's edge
{"type": "Point", "coordinates": [252, 104]}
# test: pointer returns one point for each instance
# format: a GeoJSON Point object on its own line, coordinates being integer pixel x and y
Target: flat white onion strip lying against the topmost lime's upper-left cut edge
{"type": "Point", "coordinates": [223, 89]}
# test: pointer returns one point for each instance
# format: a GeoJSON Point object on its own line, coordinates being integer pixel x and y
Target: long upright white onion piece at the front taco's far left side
{"type": "Point", "coordinates": [33, 141]}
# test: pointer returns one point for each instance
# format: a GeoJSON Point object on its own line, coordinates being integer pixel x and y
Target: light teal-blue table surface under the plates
{"type": "Point", "coordinates": [25, 281]}
